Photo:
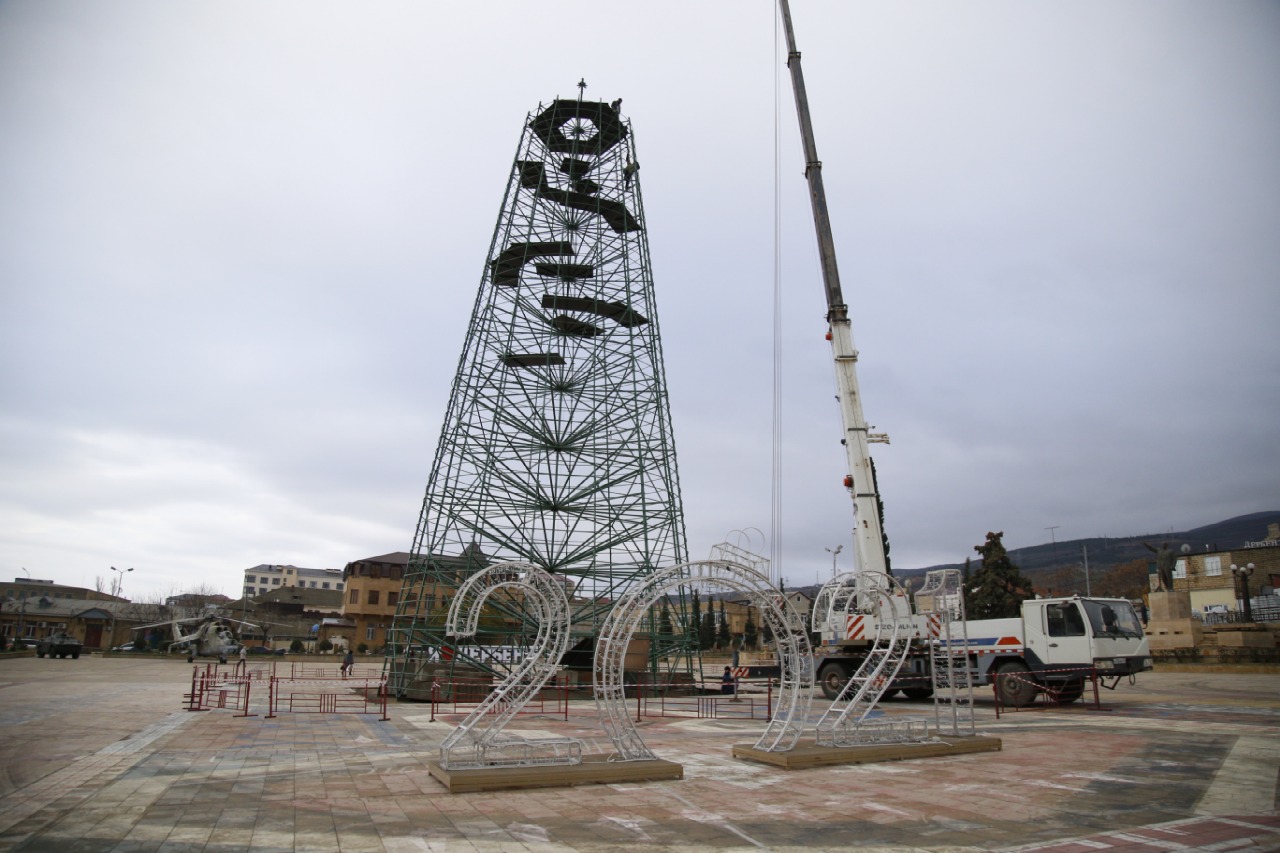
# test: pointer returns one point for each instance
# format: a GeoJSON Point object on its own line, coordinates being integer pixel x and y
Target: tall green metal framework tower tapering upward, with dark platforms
{"type": "Point", "coordinates": [557, 445]}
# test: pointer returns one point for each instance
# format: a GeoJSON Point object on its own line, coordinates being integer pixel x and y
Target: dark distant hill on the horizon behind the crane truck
{"type": "Point", "coordinates": [1109, 553]}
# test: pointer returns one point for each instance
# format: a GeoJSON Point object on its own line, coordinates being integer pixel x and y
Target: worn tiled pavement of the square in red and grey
{"type": "Point", "coordinates": [97, 755]}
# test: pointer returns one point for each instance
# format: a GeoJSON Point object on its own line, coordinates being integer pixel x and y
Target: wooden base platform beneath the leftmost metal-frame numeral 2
{"type": "Point", "coordinates": [595, 770]}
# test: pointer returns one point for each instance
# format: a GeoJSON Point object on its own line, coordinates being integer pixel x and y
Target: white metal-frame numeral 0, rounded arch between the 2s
{"type": "Point", "coordinates": [796, 655]}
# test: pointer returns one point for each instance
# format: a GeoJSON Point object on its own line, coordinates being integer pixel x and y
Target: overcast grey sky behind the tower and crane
{"type": "Point", "coordinates": [240, 244]}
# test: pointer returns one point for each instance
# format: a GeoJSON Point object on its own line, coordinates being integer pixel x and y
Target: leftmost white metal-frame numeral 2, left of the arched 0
{"type": "Point", "coordinates": [476, 746]}
